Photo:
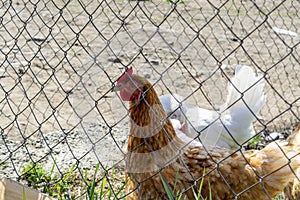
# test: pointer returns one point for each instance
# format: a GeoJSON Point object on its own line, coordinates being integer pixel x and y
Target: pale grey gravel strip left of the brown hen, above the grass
{"type": "Point", "coordinates": [87, 146]}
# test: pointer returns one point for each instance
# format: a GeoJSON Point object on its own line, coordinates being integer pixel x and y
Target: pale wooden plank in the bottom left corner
{"type": "Point", "coordinates": [13, 190]}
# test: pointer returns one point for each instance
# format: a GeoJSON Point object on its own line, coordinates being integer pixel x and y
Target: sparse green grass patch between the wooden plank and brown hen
{"type": "Point", "coordinates": [99, 186]}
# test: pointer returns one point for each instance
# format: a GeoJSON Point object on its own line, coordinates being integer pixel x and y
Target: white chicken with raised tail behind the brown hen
{"type": "Point", "coordinates": [230, 127]}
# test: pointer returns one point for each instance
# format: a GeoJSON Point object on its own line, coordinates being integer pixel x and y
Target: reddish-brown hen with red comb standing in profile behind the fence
{"type": "Point", "coordinates": [155, 153]}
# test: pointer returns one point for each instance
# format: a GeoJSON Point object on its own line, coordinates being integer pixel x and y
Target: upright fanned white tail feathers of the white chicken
{"type": "Point", "coordinates": [247, 89]}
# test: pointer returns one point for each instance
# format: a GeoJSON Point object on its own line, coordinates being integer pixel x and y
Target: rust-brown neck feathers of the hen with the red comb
{"type": "Point", "coordinates": [150, 128]}
